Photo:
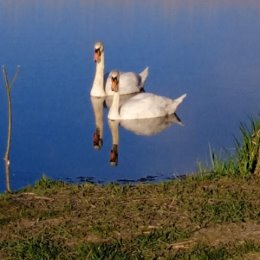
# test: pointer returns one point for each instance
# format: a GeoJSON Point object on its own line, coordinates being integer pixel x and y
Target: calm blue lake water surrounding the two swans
{"type": "Point", "coordinates": [207, 49]}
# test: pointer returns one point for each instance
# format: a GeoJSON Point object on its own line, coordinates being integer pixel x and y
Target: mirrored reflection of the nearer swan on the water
{"type": "Point", "coordinates": [145, 127]}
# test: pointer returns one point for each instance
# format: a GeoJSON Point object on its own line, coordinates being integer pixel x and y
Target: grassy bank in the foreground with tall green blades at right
{"type": "Point", "coordinates": [213, 214]}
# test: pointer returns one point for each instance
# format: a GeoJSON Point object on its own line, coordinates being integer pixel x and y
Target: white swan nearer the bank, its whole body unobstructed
{"type": "Point", "coordinates": [142, 105]}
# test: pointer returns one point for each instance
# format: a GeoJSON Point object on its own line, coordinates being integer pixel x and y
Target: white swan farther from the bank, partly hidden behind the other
{"type": "Point", "coordinates": [130, 82]}
